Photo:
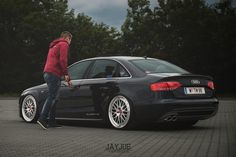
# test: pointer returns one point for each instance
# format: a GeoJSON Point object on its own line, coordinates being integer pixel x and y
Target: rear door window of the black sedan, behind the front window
{"type": "Point", "coordinates": [103, 69]}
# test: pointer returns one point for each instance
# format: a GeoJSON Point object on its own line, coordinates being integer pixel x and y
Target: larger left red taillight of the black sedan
{"type": "Point", "coordinates": [165, 86]}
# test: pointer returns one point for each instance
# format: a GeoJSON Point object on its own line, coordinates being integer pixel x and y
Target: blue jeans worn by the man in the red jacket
{"type": "Point", "coordinates": [49, 107]}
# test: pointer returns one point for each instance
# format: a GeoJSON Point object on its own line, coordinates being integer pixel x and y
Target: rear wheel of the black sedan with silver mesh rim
{"type": "Point", "coordinates": [120, 113]}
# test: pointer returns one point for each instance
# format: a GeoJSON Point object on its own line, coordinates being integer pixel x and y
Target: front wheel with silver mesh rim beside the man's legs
{"type": "Point", "coordinates": [29, 109]}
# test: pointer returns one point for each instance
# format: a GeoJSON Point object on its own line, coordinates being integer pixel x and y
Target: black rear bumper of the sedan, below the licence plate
{"type": "Point", "coordinates": [182, 109]}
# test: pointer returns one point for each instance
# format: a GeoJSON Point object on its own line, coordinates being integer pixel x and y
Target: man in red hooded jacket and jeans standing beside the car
{"type": "Point", "coordinates": [55, 68]}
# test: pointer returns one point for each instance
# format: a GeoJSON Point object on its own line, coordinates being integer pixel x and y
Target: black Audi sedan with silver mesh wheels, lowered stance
{"type": "Point", "coordinates": [124, 91]}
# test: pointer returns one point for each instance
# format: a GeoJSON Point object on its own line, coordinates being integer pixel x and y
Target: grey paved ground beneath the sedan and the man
{"type": "Point", "coordinates": [208, 138]}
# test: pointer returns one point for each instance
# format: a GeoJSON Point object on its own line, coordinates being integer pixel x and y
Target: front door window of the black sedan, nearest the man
{"type": "Point", "coordinates": [78, 70]}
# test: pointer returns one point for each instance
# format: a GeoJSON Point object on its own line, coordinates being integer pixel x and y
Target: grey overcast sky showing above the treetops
{"type": "Point", "coordinates": [110, 12]}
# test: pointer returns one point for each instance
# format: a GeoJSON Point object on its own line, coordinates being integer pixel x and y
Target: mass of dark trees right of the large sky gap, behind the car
{"type": "Point", "coordinates": [189, 33]}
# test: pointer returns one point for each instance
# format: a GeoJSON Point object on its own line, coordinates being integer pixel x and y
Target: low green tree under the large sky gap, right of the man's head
{"type": "Point", "coordinates": [93, 39]}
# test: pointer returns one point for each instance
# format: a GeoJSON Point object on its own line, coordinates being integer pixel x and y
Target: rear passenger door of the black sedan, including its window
{"type": "Point", "coordinates": [100, 83]}
